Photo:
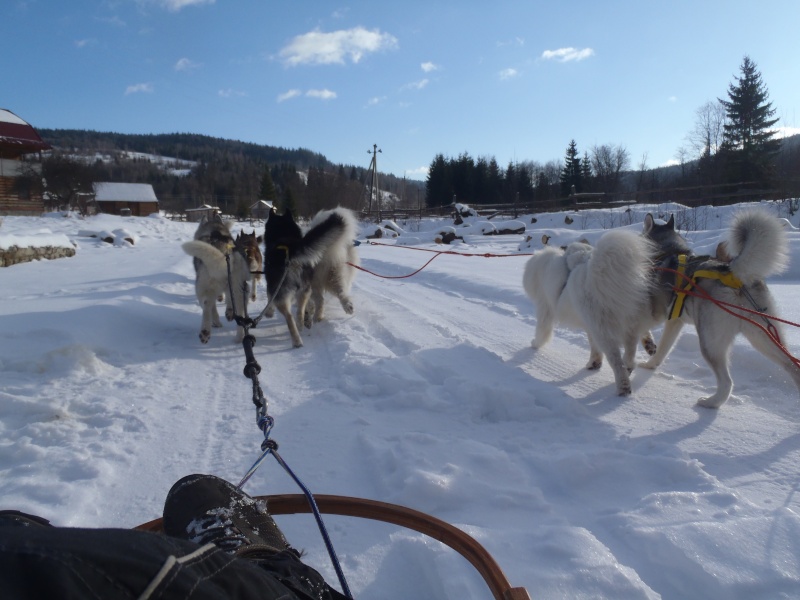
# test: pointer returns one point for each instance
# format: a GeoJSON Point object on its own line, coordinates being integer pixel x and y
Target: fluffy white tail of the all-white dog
{"type": "Point", "coordinates": [619, 276]}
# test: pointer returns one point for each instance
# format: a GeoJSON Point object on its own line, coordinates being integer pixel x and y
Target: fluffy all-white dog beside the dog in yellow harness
{"type": "Point", "coordinates": [602, 290]}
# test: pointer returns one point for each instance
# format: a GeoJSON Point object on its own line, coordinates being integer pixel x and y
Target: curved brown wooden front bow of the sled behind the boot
{"type": "Point", "coordinates": [464, 544]}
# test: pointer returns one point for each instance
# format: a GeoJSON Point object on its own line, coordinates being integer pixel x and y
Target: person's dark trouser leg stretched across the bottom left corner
{"type": "Point", "coordinates": [38, 561]}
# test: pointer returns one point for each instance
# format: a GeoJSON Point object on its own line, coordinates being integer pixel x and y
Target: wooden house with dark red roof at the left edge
{"type": "Point", "coordinates": [18, 138]}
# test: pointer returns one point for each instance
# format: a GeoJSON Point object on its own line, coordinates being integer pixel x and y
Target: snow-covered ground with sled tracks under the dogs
{"type": "Point", "coordinates": [429, 396]}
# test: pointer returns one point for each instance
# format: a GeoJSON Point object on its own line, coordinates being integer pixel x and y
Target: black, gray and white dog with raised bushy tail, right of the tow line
{"type": "Point", "coordinates": [300, 266]}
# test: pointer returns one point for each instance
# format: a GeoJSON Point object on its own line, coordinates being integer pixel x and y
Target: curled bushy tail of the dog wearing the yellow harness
{"type": "Point", "coordinates": [758, 243]}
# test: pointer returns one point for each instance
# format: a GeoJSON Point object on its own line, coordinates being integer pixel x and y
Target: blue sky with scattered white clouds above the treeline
{"type": "Point", "coordinates": [511, 80]}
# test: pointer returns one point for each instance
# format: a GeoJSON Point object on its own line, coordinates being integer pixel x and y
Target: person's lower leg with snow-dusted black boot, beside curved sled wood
{"type": "Point", "coordinates": [204, 508]}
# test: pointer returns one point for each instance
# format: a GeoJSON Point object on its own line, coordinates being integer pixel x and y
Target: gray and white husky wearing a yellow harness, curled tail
{"type": "Point", "coordinates": [757, 248]}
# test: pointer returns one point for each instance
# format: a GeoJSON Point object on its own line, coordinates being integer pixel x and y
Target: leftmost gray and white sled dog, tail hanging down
{"type": "Point", "coordinates": [212, 242]}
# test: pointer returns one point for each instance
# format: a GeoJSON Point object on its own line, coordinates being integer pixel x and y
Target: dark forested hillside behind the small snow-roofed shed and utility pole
{"type": "Point", "coordinates": [188, 170]}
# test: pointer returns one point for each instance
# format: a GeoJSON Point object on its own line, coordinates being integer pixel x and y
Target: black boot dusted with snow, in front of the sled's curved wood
{"type": "Point", "coordinates": [206, 509]}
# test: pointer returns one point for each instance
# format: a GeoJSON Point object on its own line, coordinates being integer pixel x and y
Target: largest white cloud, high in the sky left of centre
{"type": "Point", "coordinates": [318, 48]}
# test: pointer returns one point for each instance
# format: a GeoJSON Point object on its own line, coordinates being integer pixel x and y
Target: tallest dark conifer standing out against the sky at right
{"type": "Point", "coordinates": [748, 143]}
